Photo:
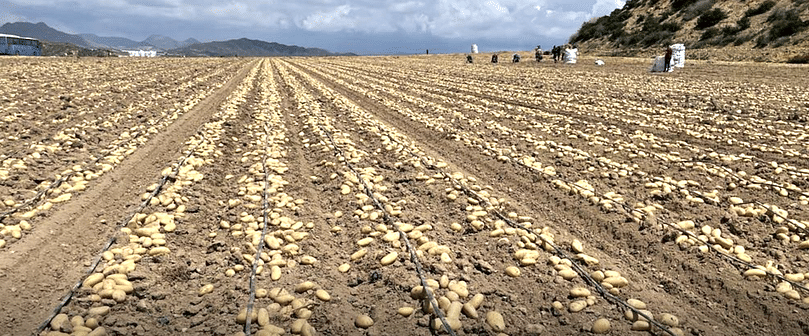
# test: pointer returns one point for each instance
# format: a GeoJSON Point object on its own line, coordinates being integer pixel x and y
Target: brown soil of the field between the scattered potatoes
{"type": "Point", "coordinates": [481, 120]}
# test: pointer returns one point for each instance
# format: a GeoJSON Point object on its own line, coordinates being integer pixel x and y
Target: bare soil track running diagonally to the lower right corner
{"type": "Point", "coordinates": [700, 287]}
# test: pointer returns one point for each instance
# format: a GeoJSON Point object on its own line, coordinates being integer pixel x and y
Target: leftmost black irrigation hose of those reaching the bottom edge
{"type": "Point", "coordinates": [66, 299]}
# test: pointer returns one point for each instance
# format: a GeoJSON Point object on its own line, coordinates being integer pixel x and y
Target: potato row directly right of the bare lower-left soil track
{"type": "Point", "coordinates": [148, 233]}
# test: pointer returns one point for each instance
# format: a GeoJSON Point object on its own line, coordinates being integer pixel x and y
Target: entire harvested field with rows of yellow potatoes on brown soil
{"type": "Point", "coordinates": [402, 196]}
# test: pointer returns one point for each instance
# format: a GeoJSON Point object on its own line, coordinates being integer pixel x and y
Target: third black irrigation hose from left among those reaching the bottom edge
{"type": "Point", "coordinates": [389, 221]}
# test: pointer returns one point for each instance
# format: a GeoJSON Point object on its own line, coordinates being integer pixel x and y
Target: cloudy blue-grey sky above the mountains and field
{"type": "Point", "coordinates": [359, 26]}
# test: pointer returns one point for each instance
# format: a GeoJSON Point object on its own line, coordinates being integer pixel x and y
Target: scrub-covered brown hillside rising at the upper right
{"type": "Point", "coordinates": [758, 27]}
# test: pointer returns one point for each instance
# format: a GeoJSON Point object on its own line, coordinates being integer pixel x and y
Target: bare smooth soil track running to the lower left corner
{"type": "Point", "coordinates": [35, 273]}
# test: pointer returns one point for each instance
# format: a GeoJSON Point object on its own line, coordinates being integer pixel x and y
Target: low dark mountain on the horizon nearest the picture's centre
{"type": "Point", "coordinates": [247, 47]}
